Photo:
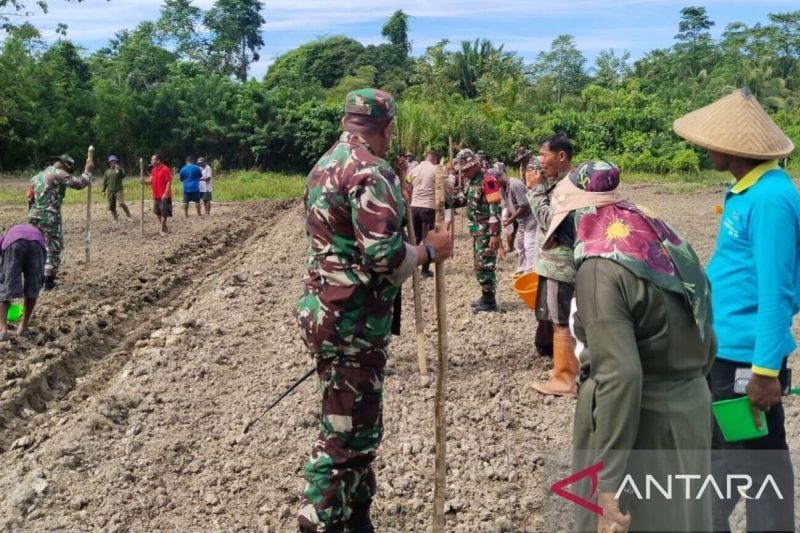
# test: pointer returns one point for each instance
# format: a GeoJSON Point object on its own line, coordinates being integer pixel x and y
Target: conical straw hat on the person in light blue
{"type": "Point", "coordinates": [737, 125]}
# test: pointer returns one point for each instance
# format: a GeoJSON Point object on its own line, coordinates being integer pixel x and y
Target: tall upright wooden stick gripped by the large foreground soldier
{"type": "Point", "coordinates": [440, 486]}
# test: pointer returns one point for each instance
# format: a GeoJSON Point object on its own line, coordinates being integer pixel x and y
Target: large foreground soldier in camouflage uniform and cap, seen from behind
{"type": "Point", "coordinates": [357, 260]}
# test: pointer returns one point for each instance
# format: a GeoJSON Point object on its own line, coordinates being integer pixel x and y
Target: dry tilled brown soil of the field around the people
{"type": "Point", "coordinates": [124, 412]}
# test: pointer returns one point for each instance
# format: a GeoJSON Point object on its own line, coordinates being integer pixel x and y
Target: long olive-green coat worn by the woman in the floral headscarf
{"type": "Point", "coordinates": [645, 407]}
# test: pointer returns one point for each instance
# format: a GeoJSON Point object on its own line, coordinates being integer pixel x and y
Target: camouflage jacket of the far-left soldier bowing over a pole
{"type": "Point", "coordinates": [48, 188]}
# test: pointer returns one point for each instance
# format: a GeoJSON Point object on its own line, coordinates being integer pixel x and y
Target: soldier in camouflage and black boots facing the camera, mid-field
{"type": "Point", "coordinates": [483, 216]}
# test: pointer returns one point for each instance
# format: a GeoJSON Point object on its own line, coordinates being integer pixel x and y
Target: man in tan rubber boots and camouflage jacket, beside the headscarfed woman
{"type": "Point", "coordinates": [556, 269]}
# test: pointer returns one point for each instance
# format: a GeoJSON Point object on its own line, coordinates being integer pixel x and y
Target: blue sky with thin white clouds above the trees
{"type": "Point", "coordinates": [525, 26]}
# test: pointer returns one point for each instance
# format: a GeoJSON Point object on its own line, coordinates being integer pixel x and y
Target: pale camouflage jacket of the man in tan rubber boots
{"type": "Point", "coordinates": [556, 261]}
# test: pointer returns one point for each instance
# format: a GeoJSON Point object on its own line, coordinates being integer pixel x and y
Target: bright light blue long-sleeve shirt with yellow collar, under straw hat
{"type": "Point", "coordinates": [755, 270]}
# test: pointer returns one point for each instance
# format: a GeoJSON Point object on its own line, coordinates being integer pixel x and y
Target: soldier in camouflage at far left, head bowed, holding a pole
{"type": "Point", "coordinates": [45, 196]}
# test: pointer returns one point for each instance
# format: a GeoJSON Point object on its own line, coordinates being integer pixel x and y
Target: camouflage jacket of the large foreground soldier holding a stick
{"type": "Point", "coordinates": [354, 227]}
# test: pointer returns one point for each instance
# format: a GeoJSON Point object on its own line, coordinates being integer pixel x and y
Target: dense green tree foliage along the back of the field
{"type": "Point", "coordinates": [179, 85]}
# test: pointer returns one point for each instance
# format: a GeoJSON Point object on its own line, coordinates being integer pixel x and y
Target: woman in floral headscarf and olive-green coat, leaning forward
{"type": "Point", "coordinates": [643, 314]}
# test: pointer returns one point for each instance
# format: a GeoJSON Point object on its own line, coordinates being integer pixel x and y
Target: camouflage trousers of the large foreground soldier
{"type": "Point", "coordinates": [338, 474]}
